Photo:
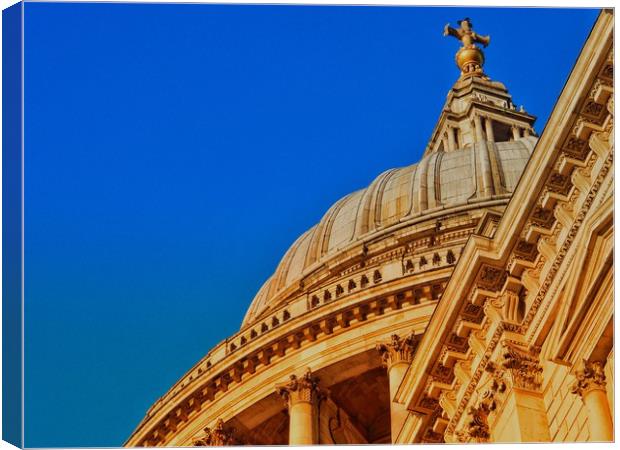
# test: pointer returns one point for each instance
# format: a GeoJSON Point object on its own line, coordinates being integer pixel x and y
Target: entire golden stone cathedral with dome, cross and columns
{"type": "Point", "coordinates": [465, 298]}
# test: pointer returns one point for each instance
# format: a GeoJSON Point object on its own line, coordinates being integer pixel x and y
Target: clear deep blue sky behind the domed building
{"type": "Point", "coordinates": [174, 152]}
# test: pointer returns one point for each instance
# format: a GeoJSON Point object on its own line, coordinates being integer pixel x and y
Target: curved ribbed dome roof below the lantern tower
{"type": "Point", "coordinates": [440, 181]}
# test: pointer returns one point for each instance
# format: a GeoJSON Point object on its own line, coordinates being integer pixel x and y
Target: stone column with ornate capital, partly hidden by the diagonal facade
{"type": "Point", "coordinates": [397, 356]}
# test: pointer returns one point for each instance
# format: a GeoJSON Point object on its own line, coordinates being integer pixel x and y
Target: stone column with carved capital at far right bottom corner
{"type": "Point", "coordinates": [590, 386]}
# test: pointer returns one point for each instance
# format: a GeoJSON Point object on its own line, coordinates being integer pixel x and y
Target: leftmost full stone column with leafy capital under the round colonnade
{"type": "Point", "coordinates": [301, 395]}
